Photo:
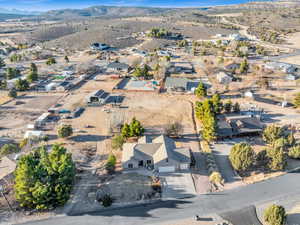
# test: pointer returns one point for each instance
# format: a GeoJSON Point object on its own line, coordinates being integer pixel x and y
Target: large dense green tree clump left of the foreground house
{"type": "Point", "coordinates": [43, 180]}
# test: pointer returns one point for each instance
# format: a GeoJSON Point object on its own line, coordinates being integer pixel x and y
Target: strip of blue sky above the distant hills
{"type": "Point", "coordinates": [44, 5]}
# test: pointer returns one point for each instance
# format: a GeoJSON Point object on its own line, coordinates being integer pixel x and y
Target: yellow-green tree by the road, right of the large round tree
{"type": "Point", "coordinates": [277, 159]}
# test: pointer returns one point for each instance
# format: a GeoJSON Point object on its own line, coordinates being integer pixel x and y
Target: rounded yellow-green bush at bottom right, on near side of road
{"type": "Point", "coordinates": [275, 215]}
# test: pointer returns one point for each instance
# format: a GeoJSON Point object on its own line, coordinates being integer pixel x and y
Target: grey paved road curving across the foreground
{"type": "Point", "coordinates": [285, 188]}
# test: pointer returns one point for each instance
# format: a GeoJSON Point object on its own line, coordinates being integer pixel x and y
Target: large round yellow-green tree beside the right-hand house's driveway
{"type": "Point", "coordinates": [242, 156]}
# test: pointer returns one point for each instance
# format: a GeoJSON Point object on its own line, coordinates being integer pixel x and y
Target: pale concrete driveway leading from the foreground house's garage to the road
{"type": "Point", "coordinates": [177, 185]}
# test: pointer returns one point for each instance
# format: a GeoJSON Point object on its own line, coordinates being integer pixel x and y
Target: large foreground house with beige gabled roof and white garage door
{"type": "Point", "coordinates": [160, 153]}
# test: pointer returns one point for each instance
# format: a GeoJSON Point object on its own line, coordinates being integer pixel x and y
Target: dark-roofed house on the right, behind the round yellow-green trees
{"type": "Point", "coordinates": [238, 125]}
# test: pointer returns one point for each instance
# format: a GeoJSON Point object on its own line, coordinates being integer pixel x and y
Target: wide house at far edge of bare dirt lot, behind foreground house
{"type": "Point", "coordinates": [181, 84]}
